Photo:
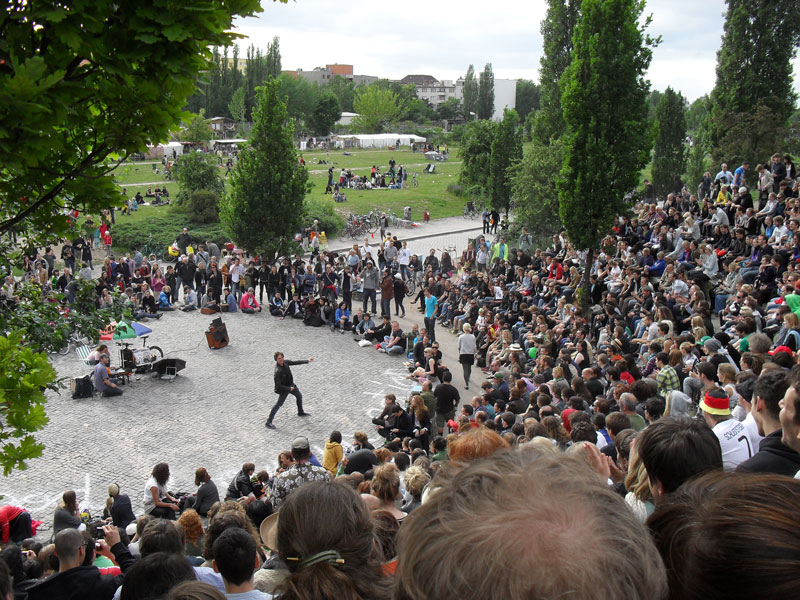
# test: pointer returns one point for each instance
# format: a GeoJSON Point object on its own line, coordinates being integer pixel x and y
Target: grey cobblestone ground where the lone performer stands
{"type": "Point", "coordinates": [213, 413]}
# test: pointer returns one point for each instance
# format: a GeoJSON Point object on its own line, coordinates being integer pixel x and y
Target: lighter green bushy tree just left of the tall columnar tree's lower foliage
{"type": "Point", "coordinates": [534, 186]}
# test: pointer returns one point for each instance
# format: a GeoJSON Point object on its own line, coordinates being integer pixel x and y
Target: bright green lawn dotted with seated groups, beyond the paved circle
{"type": "Point", "coordinates": [431, 193]}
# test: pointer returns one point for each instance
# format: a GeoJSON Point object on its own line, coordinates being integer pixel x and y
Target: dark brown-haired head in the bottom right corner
{"type": "Point", "coordinates": [701, 528]}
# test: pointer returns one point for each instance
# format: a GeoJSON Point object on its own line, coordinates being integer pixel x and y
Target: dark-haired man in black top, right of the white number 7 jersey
{"type": "Point", "coordinates": [773, 455]}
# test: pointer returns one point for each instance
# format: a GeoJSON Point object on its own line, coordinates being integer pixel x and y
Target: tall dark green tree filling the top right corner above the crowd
{"type": "Point", "coordinates": [754, 68]}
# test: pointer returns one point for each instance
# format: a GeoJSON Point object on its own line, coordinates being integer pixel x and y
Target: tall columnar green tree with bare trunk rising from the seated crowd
{"type": "Point", "coordinates": [608, 135]}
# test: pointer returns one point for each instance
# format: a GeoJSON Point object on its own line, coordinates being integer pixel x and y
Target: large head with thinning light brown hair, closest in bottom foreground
{"type": "Point", "coordinates": [434, 548]}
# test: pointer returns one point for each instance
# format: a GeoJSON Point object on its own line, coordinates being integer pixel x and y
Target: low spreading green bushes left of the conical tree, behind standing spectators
{"type": "Point", "coordinates": [164, 227]}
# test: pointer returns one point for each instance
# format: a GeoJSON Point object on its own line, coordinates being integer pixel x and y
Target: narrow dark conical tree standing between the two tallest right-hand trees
{"type": "Point", "coordinates": [669, 156]}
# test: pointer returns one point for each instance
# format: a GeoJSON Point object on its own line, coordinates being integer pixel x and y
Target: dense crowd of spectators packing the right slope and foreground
{"type": "Point", "coordinates": [654, 436]}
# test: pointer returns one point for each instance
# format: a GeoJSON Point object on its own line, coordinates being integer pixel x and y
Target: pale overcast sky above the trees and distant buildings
{"type": "Point", "coordinates": [442, 37]}
